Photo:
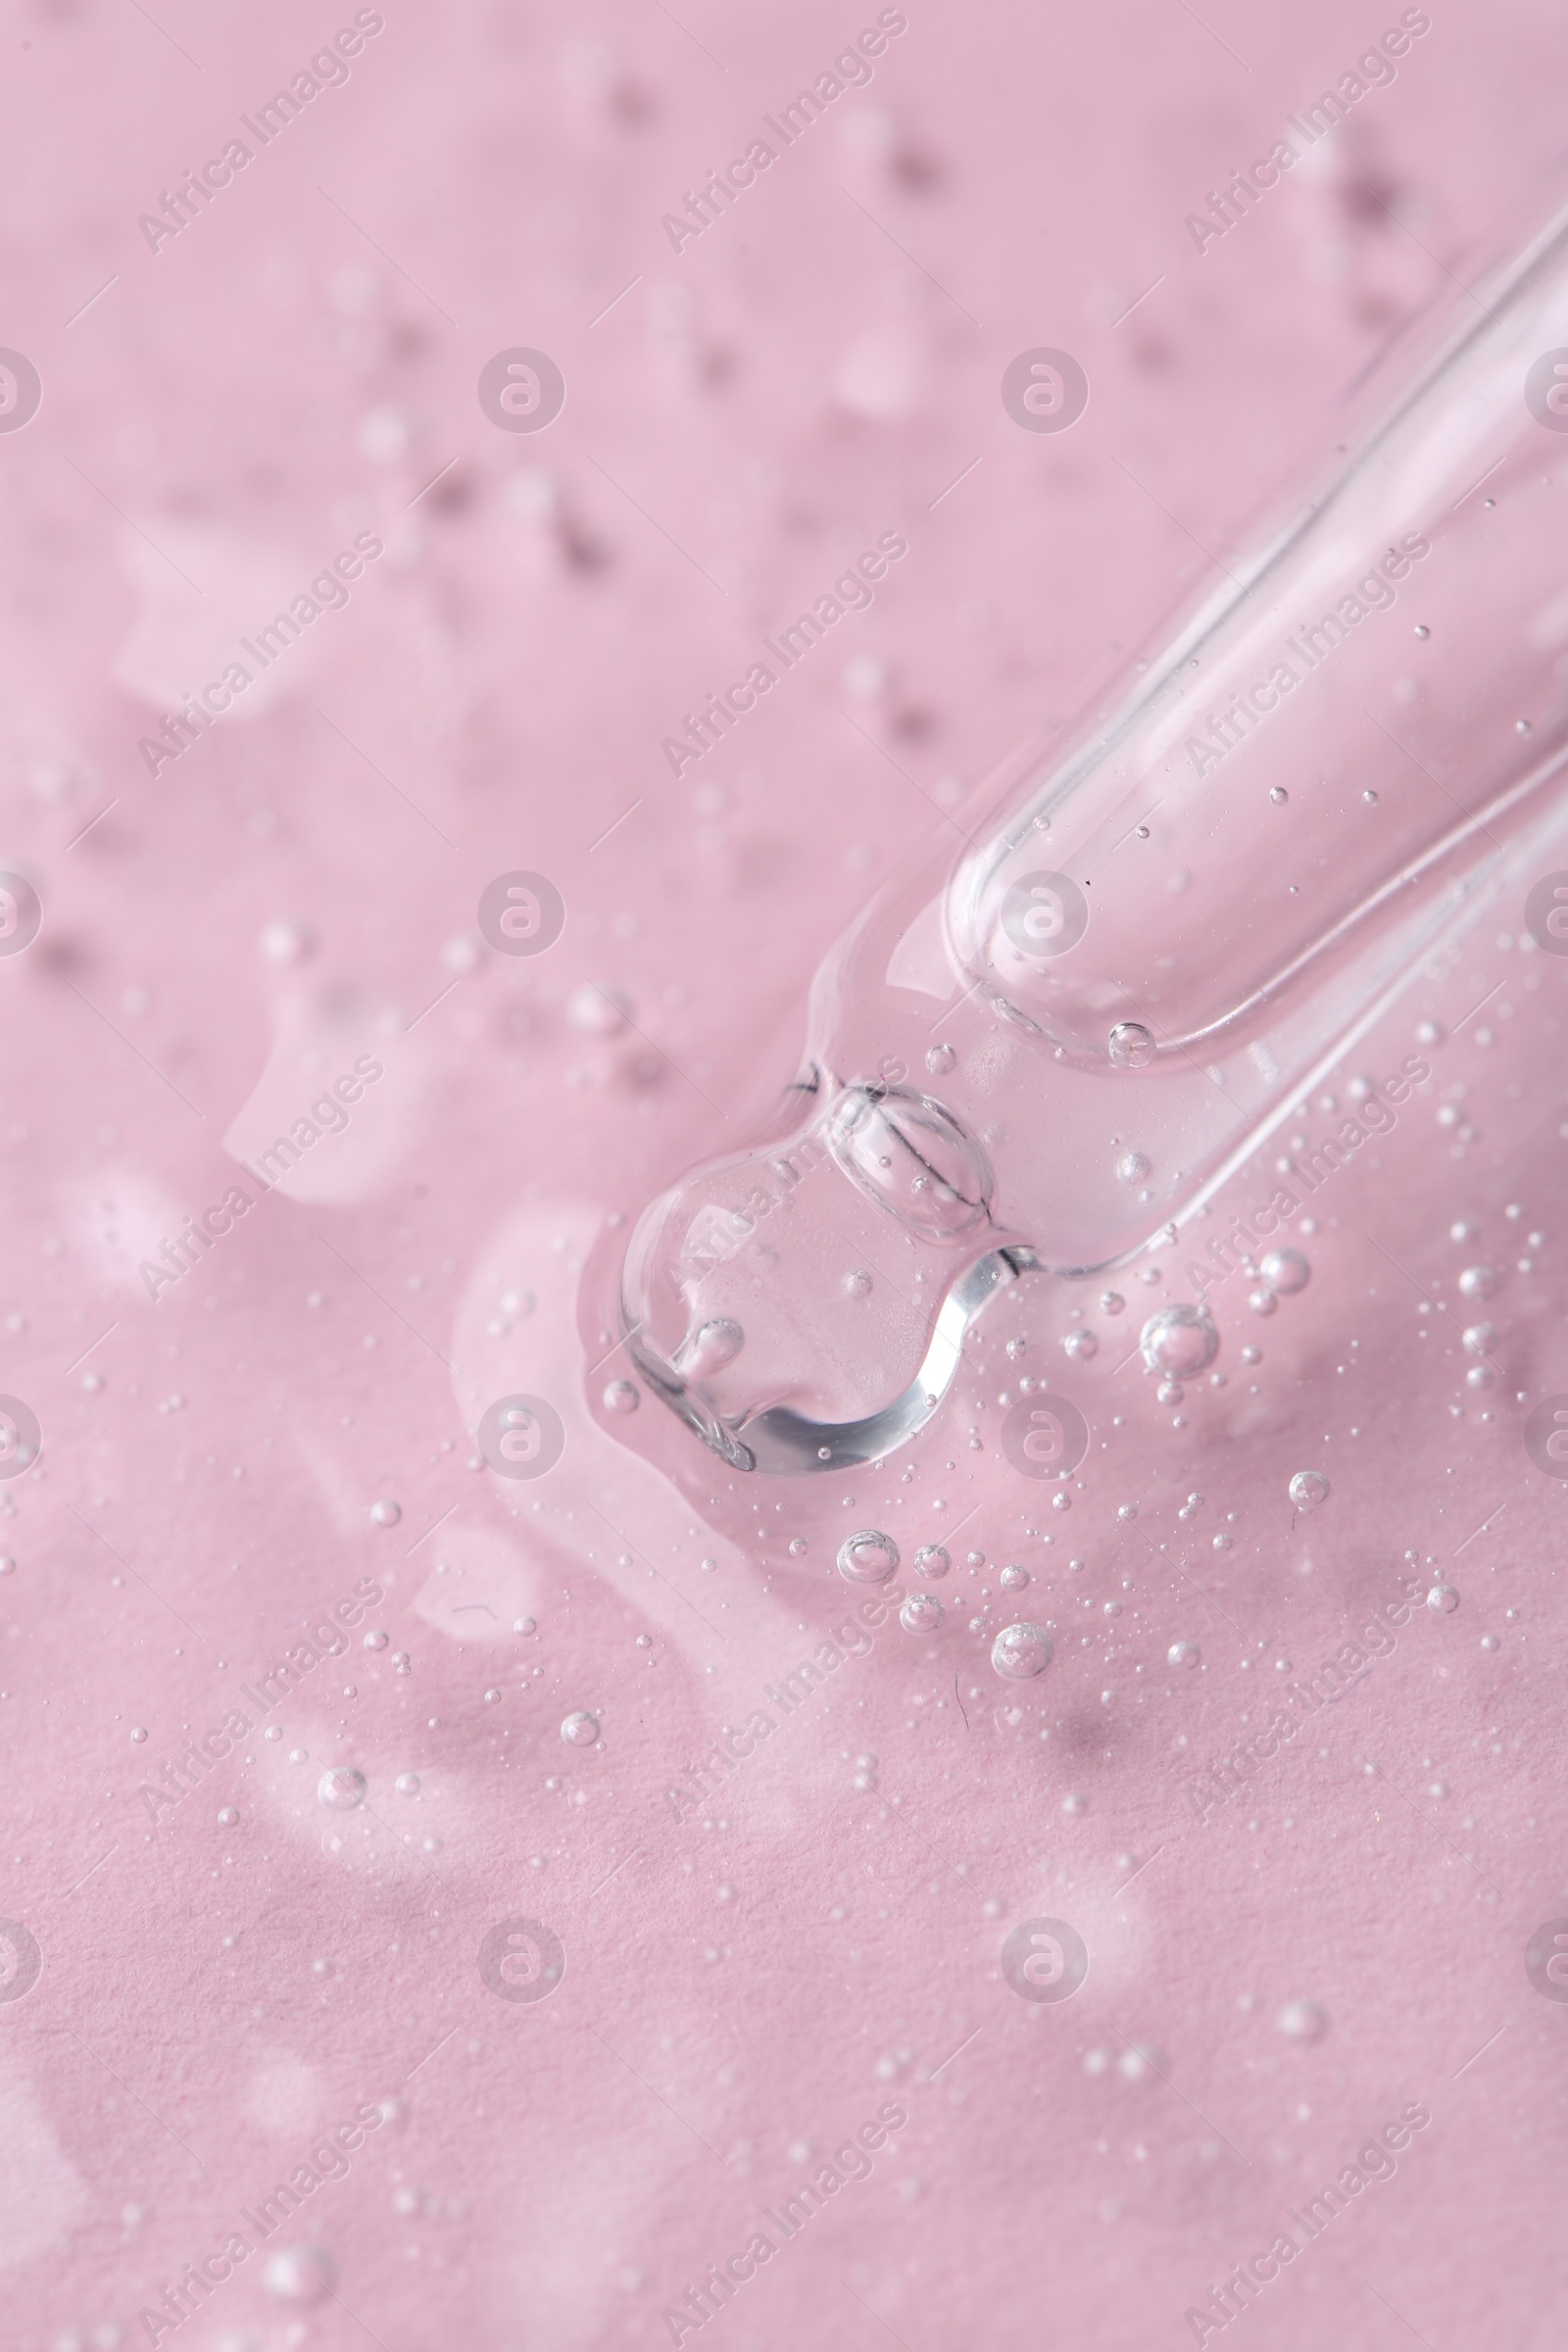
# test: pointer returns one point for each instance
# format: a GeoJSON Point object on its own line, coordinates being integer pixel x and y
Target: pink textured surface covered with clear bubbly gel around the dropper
{"type": "Point", "coordinates": [749, 1982]}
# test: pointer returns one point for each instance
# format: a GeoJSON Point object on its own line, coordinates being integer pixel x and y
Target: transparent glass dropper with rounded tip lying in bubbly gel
{"type": "Point", "coordinates": [1052, 1050]}
